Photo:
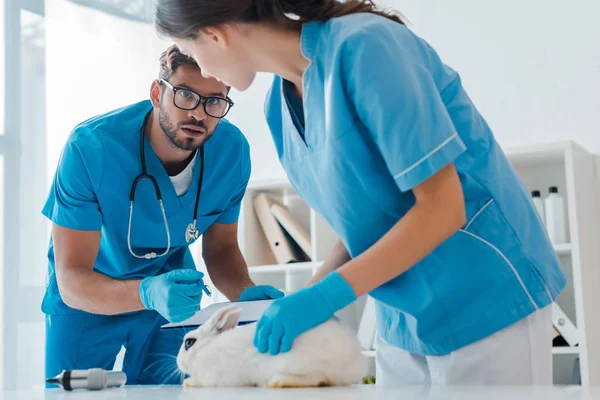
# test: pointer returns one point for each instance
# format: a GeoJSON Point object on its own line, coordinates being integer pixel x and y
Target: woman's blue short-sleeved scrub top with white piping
{"type": "Point", "coordinates": [382, 115]}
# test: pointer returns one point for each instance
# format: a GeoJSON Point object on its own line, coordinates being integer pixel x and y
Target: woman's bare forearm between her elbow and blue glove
{"type": "Point", "coordinates": [416, 235]}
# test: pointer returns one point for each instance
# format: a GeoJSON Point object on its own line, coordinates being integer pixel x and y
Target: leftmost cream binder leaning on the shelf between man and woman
{"type": "Point", "coordinates": [282, 245]}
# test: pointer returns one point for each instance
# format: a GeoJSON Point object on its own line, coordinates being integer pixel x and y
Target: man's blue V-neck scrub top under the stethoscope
{"type": "Point", "coordinates": [91, 191]}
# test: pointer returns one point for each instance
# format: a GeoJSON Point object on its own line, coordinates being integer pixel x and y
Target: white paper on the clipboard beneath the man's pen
{"type": "Point", "coordinates": [251, 312]}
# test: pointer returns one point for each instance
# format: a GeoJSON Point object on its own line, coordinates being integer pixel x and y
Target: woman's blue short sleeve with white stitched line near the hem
{"type": "Point", "coordinates": [388, 75]}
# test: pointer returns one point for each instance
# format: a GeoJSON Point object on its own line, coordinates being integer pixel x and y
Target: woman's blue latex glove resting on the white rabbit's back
{"type": "Point", "coordinates": [293, 315]}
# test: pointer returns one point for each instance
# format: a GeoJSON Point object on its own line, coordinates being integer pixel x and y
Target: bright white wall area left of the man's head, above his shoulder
{"type": "Point", "coordinates": [95, 63]}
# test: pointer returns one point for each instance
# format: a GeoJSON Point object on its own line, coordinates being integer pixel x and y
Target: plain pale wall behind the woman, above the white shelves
{"type": "Point", "coordinates": [531, 67]}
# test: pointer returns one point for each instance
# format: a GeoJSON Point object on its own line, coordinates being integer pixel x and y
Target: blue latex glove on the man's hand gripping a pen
{"type": "Point", "coordinates": [175, 295]}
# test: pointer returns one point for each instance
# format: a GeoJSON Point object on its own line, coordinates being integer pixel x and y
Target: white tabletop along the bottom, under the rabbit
{"type": "Point", "coordinates": [362, 392]}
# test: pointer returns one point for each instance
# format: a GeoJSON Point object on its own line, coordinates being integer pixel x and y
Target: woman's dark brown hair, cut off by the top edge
{"type": "Point", "coordinates": [183, 19]}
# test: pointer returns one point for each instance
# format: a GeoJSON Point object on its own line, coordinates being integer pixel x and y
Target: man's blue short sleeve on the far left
{"type": "Point", "coordinates": [72, 202]}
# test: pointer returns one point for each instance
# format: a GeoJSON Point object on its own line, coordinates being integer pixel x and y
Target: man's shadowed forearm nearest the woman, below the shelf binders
{"type": "Point", "coordinates": [228, 271]}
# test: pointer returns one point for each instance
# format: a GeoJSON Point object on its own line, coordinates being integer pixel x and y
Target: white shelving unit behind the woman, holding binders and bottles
{"type": "Point", "coordinates": [565, 165]}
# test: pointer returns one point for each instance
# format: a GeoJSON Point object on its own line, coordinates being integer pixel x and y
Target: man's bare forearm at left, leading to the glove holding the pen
{"type": "Point", "coordinates": [95, 293]}
